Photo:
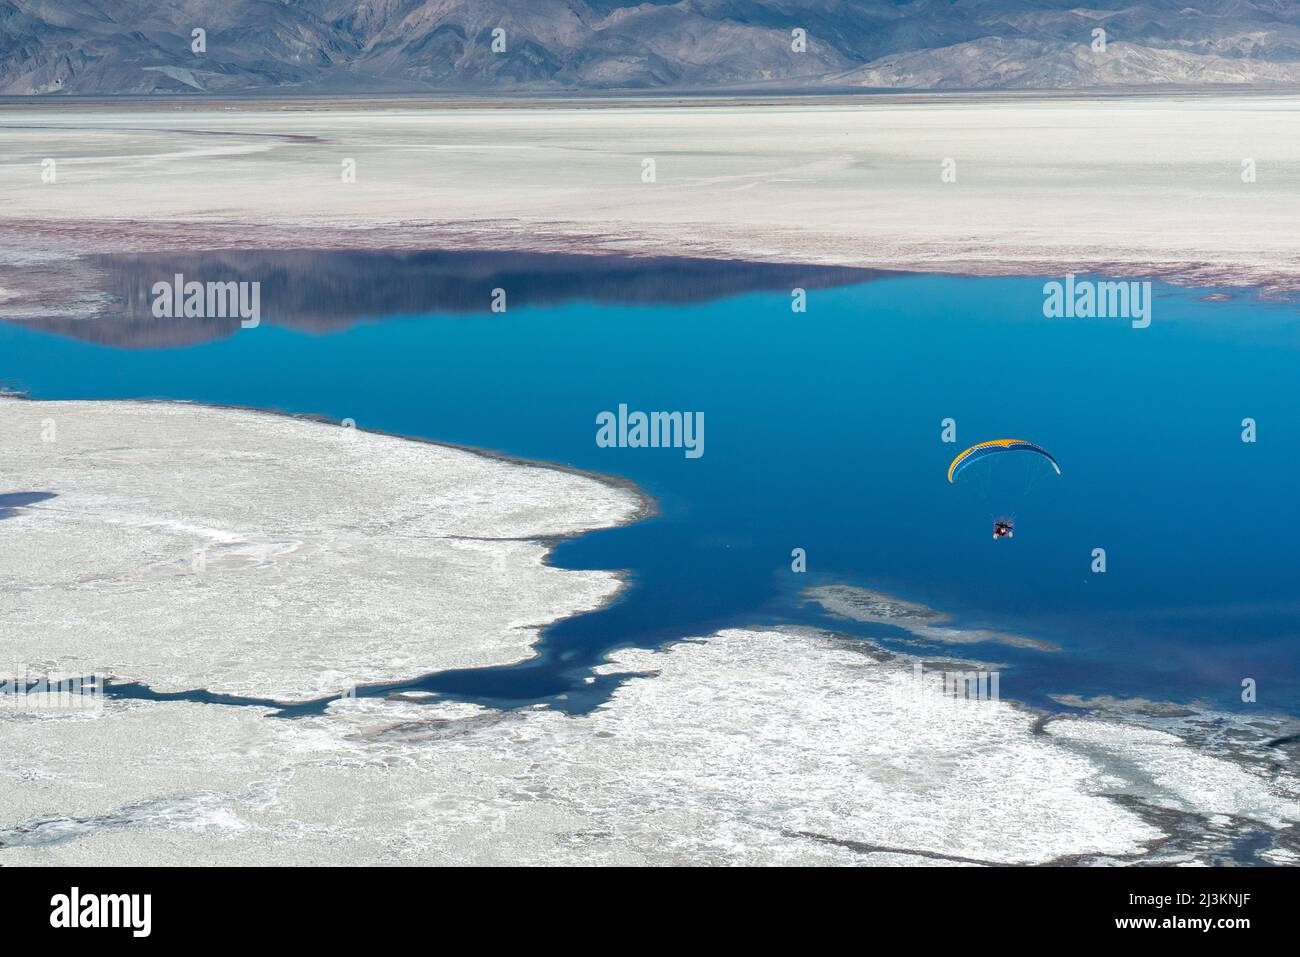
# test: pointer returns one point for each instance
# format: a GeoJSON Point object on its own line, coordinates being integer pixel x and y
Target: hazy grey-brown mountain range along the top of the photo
{"type": "Point", "coordinates": [336, 47]}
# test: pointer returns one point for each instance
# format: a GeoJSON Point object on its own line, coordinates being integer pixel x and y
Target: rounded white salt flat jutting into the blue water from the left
{"type": "Point", "coordinates": [270, 557]}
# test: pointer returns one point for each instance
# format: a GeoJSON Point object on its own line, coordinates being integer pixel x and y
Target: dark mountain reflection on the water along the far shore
{"type": "Point", "coordinates": [323, 292]}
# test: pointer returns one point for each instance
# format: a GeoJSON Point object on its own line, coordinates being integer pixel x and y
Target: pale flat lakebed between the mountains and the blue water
{"type": "Point", "coordinates": [1129, 187]}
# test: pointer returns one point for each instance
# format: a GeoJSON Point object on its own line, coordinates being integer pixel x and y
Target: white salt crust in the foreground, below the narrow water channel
{"type": "Point", "coordinates": [740, 748]}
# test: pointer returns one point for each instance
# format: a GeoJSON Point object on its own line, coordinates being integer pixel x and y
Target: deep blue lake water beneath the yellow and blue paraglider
{"type": "Point", "coordinates": [824, 432]}
